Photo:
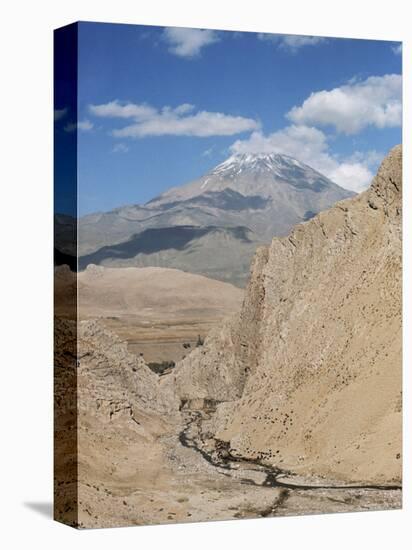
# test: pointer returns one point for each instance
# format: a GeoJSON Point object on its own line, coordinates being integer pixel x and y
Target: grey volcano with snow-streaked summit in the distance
{"type": "Point", "coordinates": [211, 226]}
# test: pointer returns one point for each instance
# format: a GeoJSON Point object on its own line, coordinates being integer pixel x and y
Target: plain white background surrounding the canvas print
{"type": "Point", "coordinates": [26, 270]}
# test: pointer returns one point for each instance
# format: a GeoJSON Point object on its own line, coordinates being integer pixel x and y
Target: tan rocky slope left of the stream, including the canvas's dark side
{"type": "Point", "coordinates": [108, 435]}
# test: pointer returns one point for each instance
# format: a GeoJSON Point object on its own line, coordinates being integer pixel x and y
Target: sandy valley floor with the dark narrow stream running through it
{"type": "Point", "coordinates": [198, 481]}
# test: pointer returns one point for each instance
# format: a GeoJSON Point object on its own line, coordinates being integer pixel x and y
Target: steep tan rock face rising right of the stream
{"type": "Point", "coordinates": [316, 352]}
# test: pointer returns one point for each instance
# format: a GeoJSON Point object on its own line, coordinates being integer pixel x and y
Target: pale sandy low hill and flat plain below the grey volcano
{"type": "Point", "coordinates": [161, 313]}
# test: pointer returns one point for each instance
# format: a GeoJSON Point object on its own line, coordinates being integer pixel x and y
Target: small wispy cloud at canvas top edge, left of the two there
{"type": "Point", "coordinates": [188, 42]}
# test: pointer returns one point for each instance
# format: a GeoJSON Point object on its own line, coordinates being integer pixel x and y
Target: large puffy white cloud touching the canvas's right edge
{"type": "Point", "coordinates": [376, 101]}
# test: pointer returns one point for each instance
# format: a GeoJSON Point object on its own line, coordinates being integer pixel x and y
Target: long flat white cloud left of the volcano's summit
{"type": "Point", "coordinates": [180, 121]}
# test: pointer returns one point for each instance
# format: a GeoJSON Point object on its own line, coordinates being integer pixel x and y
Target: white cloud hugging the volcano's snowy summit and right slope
{"type": "Point", "coordinates": [309, 145]}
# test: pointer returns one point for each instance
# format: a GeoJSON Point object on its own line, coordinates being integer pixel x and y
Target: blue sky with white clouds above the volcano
{"type": "Point", "coordinates": [159, 107]}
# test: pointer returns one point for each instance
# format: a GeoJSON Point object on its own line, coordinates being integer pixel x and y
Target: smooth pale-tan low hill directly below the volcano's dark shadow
{"type": "Point", "coordinates": [111, 291]}
